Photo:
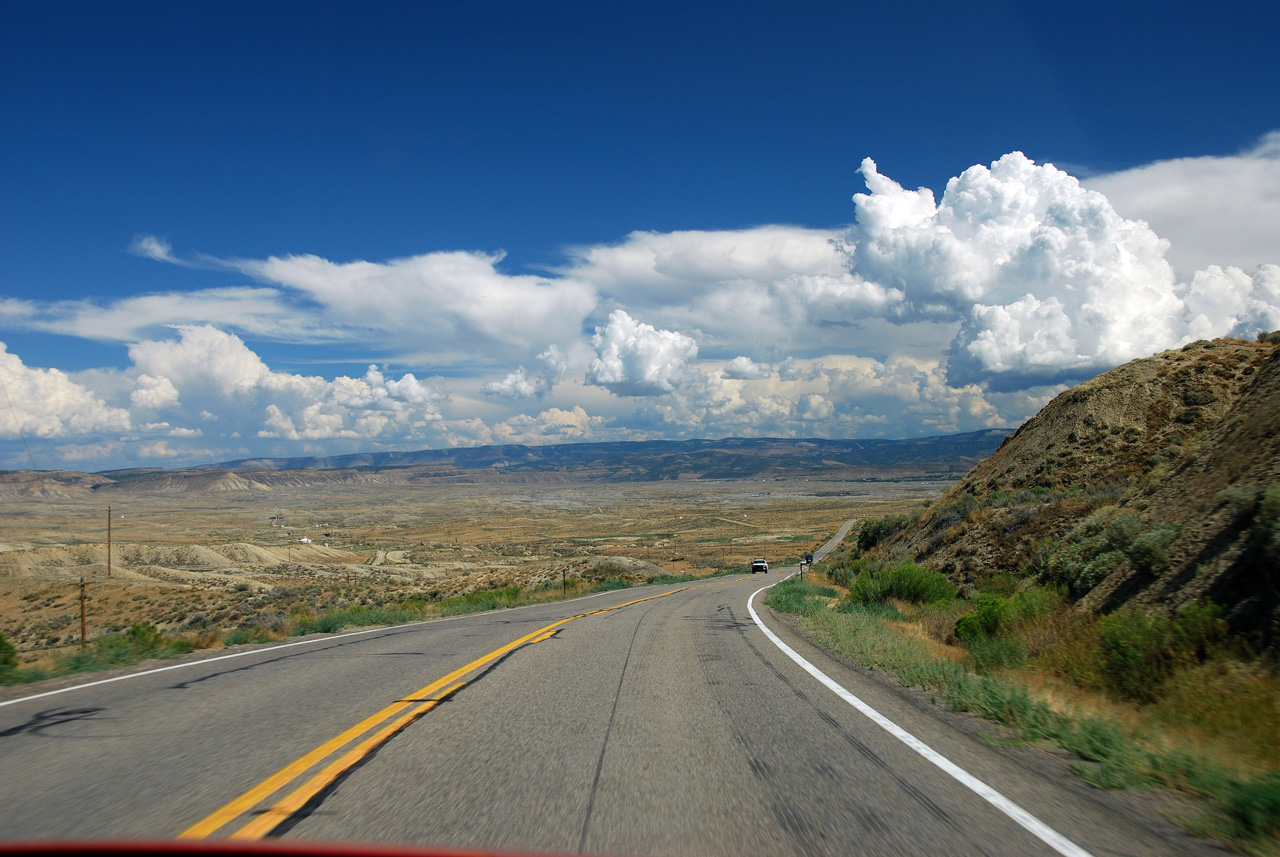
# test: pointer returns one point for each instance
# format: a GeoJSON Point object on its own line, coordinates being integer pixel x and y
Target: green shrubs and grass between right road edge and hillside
{"type": "Point", "coordinates": [1141, 699]}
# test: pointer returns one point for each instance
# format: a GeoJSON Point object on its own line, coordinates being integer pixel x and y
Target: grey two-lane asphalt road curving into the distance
{"type": "Point", "coordinates": [673, 726]}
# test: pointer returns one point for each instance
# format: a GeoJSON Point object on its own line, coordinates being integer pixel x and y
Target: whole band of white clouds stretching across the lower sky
{"type": "Point", "coordinates": [927, 315]}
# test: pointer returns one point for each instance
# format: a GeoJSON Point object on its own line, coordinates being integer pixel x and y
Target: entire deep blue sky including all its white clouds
{"type": "Point", "coordinates": [235, 230]}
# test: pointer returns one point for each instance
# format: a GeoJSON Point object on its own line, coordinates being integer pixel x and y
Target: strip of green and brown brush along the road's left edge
{"type": "Point", "coordinates": [305, 611]}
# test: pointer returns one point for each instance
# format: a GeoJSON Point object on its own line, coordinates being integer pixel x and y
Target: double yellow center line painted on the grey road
{"type": "Point", "coordinates": [374, 731]}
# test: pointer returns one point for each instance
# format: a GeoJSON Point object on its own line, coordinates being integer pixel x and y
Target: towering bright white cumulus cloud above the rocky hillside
{"type": "Point", "coordinates": [1048, 281]}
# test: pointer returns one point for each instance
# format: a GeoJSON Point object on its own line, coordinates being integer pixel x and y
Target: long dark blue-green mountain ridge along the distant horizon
{"type": "Point", "coordinates": [938, 457]}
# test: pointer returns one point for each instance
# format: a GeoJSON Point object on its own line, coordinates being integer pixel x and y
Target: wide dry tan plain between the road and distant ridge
{"type": "Point", "coordinates": [208, 563]}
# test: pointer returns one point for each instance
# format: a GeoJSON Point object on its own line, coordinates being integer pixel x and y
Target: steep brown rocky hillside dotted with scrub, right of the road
{"type": "Point", "coordinates": [1155, 484]}
